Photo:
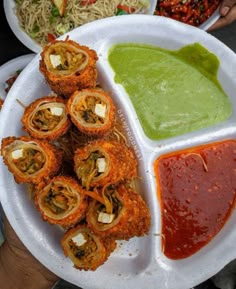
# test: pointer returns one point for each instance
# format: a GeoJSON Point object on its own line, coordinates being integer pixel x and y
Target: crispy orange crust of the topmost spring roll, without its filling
{"type": "Point", "coordinates": [66, 85]}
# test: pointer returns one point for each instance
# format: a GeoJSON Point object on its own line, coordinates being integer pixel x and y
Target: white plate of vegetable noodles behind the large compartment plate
{"type": "Point", "coordinates": [35, 23]}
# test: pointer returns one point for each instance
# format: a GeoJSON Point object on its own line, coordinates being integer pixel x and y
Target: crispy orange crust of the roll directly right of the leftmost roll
{"type": "Point", "coordinates": [123, 164]}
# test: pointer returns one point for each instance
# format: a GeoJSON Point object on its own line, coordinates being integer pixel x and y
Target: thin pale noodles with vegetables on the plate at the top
{"type": "Point", "coordinates": [40, 23]}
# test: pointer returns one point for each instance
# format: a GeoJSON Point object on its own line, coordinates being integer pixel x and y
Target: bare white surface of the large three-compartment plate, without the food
{"type": "Point", "coordinates": [140, 261]}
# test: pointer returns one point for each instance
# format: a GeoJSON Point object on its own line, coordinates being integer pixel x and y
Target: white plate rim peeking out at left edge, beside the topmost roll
{"type": "Point", "coordinates": [9, 69]}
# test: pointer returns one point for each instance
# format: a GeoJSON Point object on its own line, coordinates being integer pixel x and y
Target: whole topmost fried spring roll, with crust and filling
{"type": "Point", "coordinates": [69, 76]}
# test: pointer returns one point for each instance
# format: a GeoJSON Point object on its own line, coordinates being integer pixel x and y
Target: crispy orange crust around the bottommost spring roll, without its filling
{"type": "Point", "coordinates": [100, 252]}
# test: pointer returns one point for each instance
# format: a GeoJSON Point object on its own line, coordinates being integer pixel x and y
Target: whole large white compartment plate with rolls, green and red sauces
{"type": "Point", "coordinates": [117, 145]}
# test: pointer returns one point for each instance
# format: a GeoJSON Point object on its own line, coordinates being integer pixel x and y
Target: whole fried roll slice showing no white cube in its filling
{"type": "Point", "coordinates": [62, 201]}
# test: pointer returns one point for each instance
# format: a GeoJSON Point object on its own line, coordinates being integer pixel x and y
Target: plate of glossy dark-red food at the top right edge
{"type": "Point", "coordinates": [198, 13]}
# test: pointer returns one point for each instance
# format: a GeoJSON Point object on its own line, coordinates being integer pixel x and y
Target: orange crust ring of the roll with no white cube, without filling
{"type": "Point", "coordinates": [74, 214]}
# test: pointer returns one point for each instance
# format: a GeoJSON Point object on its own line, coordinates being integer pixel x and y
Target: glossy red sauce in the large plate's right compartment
{"type": "Point", "coordinates": [197, 190]}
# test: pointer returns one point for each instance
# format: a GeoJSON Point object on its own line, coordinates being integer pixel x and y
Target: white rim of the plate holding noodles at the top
{"type": "Point", "coordinates": [9, 8]}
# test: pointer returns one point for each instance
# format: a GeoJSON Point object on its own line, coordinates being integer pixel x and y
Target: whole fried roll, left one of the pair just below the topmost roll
{"type": "Point", "coordinates": [41, 120]}
